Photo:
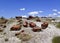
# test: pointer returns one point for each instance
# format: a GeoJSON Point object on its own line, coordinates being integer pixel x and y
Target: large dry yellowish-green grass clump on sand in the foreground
{"type": "Point", "coordinates": [24, 36]}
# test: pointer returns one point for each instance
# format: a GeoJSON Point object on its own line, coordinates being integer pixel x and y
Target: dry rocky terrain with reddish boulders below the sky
{"type": "Point", "coordinates": [30, 30]}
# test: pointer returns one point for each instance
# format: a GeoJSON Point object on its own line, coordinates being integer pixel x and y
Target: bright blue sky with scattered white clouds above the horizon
{"type": "Point", "coordinates": [12, 8]}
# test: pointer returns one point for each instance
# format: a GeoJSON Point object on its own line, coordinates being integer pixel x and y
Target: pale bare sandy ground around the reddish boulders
{"type": "Point", "coordinates": [44, 36]}
